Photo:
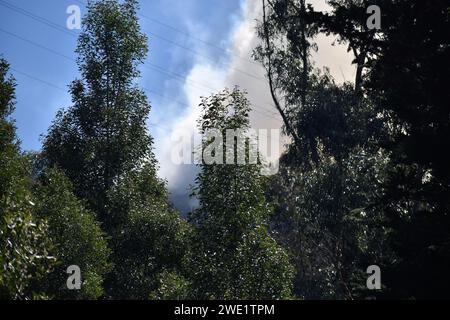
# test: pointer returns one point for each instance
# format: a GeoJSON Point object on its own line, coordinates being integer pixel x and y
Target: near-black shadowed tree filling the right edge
{"type": "Point", "coordinates": [407, 80]}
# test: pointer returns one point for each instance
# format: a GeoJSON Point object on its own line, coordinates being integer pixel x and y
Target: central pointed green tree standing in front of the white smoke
{"type": "Point", "coordinates": [233, 255]}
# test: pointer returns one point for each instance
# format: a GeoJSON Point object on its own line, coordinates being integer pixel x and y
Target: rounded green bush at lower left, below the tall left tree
{"type": "Point", "coordinates": [77, 235]}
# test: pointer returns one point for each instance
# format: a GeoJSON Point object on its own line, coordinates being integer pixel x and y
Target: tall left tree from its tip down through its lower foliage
{"type": "Point", "coordinates": [102, 145]}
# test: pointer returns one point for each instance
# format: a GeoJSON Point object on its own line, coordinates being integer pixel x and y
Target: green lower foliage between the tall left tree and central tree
{"type": "Point", "coordinates": [151, 239]}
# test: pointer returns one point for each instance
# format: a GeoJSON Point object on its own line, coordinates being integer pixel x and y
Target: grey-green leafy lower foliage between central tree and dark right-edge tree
{"type": "Point", "coordinates": [328, 218]}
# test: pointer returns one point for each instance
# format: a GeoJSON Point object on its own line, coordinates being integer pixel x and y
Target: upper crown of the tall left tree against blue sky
{"type": "Point", "coordinates": [103, 134]}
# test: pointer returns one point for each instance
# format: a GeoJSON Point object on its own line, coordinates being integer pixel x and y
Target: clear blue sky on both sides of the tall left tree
{"type": "Point", "coordinates": [172, 54]}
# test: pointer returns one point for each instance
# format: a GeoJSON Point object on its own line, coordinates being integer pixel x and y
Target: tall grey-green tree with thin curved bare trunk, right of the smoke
{"type": "Point", "coordinates": [330, 172]}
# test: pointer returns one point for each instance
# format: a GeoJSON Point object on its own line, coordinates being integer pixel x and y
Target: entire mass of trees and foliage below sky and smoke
{"type": "Point", "coordinates": [364, 181]}
